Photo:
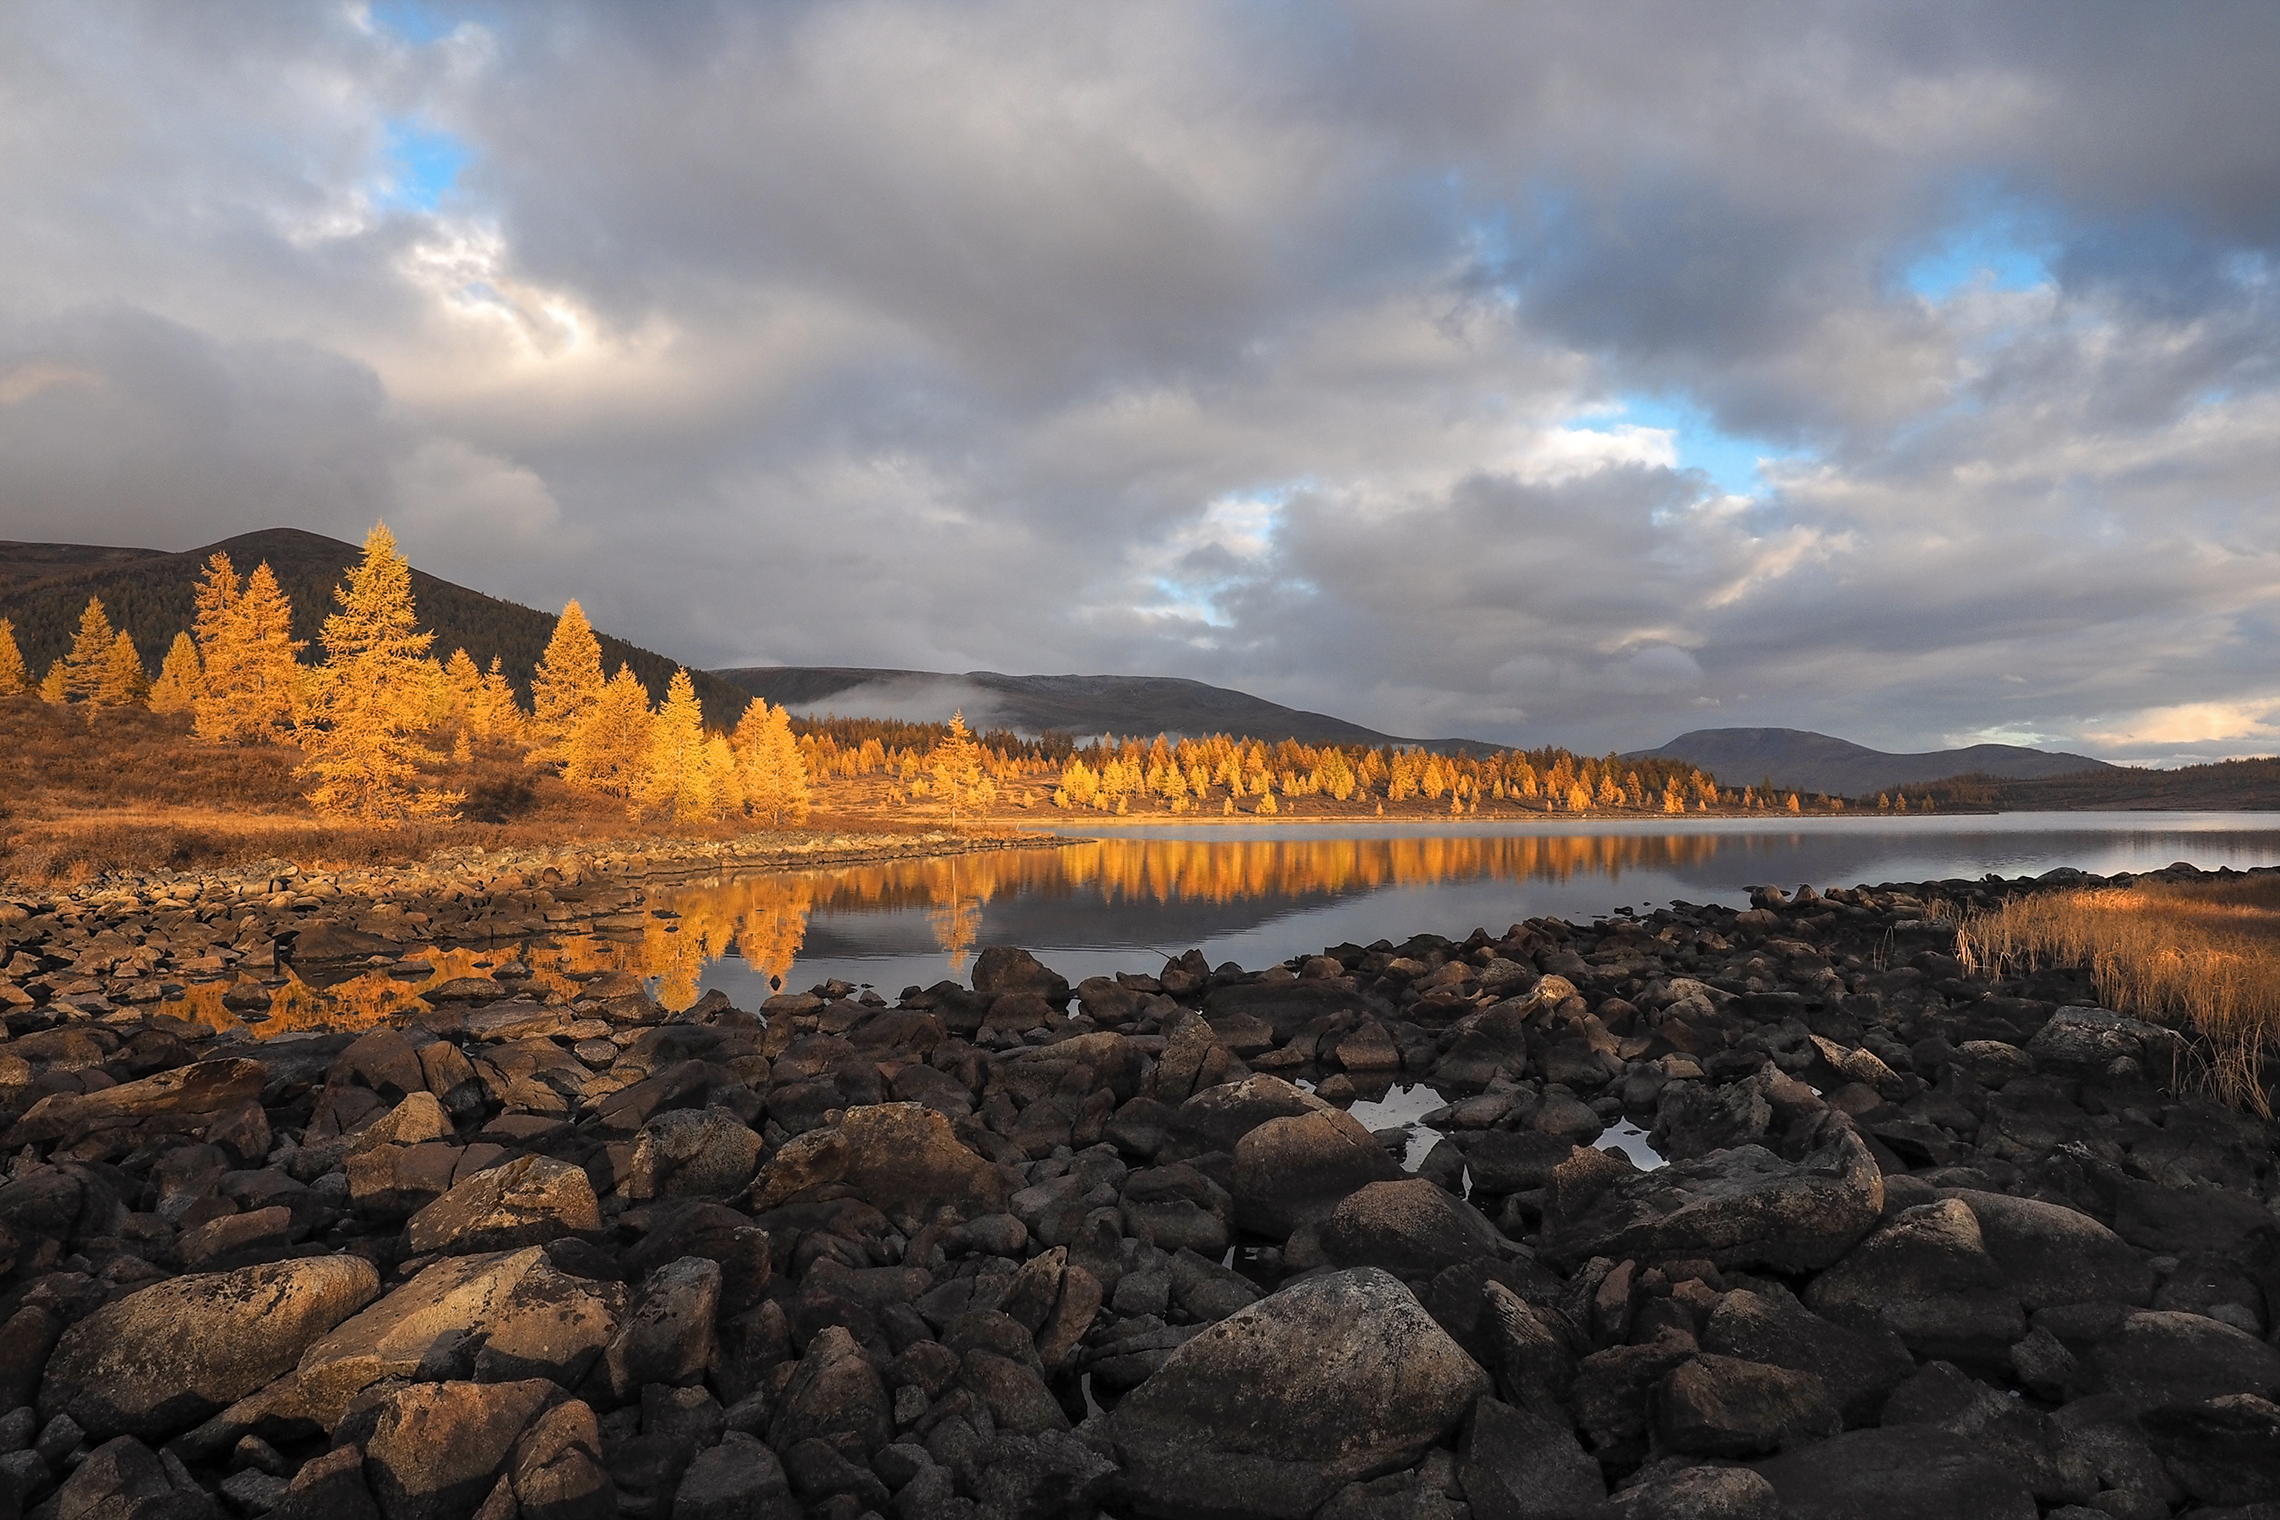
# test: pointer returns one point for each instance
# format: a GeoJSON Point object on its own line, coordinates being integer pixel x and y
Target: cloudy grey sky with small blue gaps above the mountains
{"type": "Point", "coordinates": [1522, 370]}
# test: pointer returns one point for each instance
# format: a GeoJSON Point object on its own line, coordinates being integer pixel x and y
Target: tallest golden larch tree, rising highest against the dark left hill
{"type": "Point", "coordinates": [368, 698]}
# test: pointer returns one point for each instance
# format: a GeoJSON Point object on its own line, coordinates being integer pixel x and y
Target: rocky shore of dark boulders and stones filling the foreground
{"type": "Point", "coordinates": [1923, 1245]}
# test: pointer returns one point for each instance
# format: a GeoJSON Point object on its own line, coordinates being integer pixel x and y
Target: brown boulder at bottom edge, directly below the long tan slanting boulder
{"type": "Point", "coordinates": [441, 1448]}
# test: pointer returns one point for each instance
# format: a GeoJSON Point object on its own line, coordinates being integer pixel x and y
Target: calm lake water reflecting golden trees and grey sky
{"type": "Point", "coordinates": [1262, 894]}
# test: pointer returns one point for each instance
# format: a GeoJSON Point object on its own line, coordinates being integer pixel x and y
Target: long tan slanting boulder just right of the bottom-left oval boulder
{"type": "Point", "coordinates": [484, 1318]}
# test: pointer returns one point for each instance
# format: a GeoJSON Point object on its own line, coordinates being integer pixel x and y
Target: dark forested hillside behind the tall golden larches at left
{"type": "Point", "coordinates": [149, 594]}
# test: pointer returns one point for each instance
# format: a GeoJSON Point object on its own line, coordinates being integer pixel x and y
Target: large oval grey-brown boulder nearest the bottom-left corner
{"type": "Point", "coordinates": [168, 1357]}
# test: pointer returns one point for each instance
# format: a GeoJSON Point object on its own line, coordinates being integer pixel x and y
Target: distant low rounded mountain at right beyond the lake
{"type": "Point", "coordinates": [1816, 762]}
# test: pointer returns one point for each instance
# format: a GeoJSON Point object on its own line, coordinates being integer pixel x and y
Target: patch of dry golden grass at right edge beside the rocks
{"type": "Point", "coordinates": [2204, 956]}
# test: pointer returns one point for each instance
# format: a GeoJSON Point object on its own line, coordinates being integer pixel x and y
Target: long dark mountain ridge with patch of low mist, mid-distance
{"type": "Point", "coordinates": [1066, 703]}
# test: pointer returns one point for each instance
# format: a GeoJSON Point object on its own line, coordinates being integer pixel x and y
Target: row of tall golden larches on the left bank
{"type": "Point", "coordinates": [382, 724]}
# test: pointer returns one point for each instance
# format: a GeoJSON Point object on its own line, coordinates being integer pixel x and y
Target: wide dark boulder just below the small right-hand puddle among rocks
{"type": "Point", "coordinates": [1736, 1209]}
